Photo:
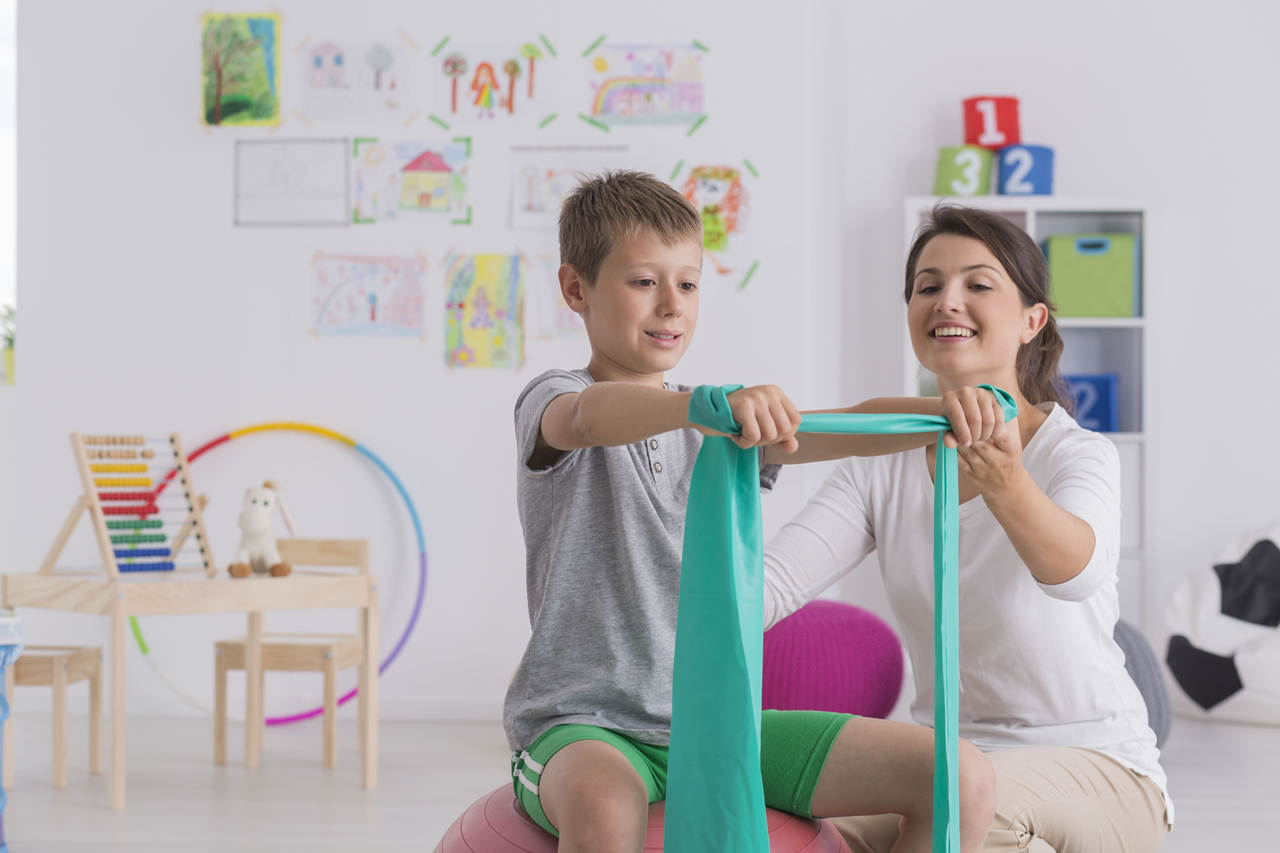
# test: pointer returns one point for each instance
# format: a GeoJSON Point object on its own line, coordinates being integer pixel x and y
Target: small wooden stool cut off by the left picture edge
{"type": "Point", "coordinates": [60, 667]}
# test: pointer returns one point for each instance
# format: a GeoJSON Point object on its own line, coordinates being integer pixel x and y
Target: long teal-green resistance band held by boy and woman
{"type": "Point", "coordinates": [715, 792]}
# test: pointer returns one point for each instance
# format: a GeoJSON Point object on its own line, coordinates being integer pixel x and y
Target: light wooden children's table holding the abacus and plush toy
{"type": "Point", "coordinates": [195, 594]}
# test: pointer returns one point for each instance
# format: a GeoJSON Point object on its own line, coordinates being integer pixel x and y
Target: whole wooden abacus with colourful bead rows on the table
{"type": "Point", "coordinates": [157, 526]}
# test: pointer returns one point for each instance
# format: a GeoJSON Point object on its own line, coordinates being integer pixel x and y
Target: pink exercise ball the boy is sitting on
{"type": "Point", "coordinates": [496, 824]}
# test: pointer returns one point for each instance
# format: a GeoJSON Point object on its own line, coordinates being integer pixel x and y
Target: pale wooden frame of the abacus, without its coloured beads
{"type": "Point", "coordinates": [90, 501]}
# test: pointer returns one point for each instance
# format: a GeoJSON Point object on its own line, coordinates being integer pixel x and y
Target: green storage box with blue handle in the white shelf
{"type": "Point", "coordinates": [1095, 275]}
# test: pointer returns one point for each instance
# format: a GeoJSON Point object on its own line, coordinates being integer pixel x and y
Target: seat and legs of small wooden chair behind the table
{"type": "Point", "coordinates": [290, 654]}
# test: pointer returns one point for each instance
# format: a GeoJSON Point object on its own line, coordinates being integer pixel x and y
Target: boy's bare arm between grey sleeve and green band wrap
{"type": "Point", "coordinates": [614, 414]}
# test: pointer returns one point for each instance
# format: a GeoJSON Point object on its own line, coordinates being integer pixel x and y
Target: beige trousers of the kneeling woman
{"type": "Point", "coordinates": [1052, 800]}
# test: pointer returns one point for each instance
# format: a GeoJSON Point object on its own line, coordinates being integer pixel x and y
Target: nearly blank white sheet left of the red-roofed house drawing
{"type": "Point", "coordinates": [291, 183]}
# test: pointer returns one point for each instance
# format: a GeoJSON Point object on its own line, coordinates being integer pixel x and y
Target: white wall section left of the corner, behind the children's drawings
{"type": "Point", "coordinates": [145, 311]}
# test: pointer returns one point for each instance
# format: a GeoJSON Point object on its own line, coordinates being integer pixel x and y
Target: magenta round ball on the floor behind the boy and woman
{"type": "Point", "coordinates": [829, 656]}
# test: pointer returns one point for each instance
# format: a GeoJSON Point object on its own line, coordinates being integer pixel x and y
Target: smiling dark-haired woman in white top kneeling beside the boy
{"type": "Point", "coordinates": [1044, 691]}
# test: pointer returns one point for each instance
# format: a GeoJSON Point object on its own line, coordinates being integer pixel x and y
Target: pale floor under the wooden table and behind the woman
{"type": "Point", "coordinates": [1226, 782]}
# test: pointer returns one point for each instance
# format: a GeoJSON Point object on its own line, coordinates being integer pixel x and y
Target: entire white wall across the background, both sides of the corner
{"type": "Point", "coordinates": [145, 311]}
